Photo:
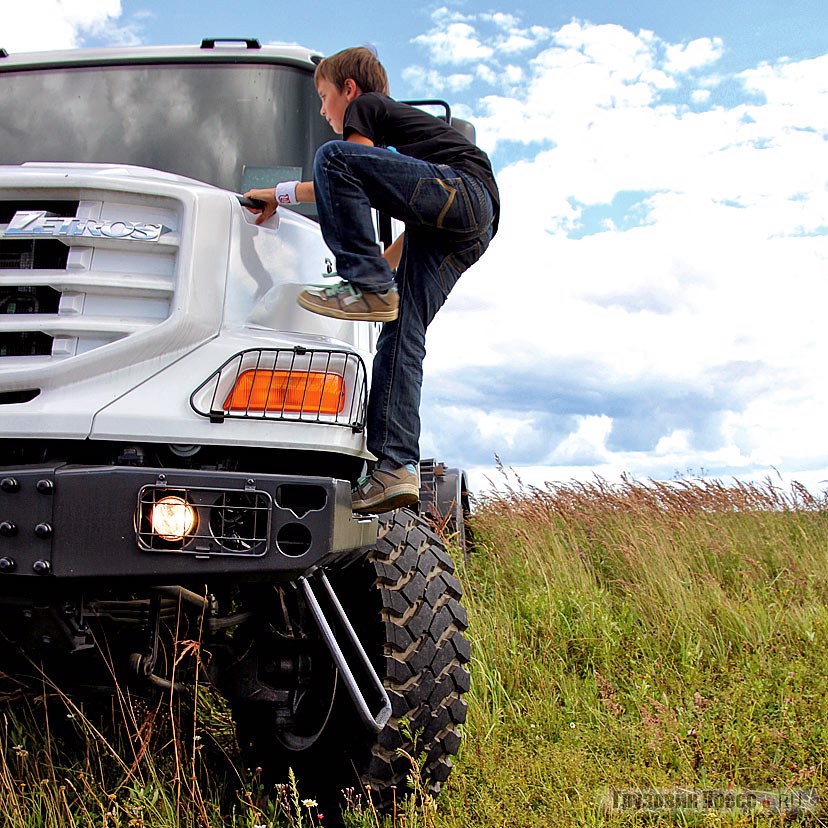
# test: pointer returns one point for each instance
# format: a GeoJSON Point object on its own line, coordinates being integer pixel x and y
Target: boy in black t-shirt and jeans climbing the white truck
{"type": "Point", "coordinates": [420, 170]}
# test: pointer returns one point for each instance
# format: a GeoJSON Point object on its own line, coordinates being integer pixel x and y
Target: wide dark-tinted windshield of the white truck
{"type": "Point", "coordinates": [233, 125]}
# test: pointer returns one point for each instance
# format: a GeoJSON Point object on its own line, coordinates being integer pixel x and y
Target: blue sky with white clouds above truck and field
{"type": "Point", "coordinates": [654, 304]}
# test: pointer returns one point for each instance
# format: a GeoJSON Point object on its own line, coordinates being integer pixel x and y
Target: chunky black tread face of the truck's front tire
{"type": "Point", "coordinates": [424, 654]}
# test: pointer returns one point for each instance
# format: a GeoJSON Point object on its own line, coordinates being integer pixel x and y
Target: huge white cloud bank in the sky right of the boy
{"type": "Point", "coordinates": [663, 238]}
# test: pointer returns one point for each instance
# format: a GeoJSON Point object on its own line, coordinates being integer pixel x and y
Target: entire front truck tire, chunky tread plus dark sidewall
{"type": "Point", "coordinates": [403, 599]}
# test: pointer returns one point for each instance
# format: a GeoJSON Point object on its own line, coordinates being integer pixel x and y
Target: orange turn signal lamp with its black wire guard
{"type": "Point", "coordinates": [287, 384]}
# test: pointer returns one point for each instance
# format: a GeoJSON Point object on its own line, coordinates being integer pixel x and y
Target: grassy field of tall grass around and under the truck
{"type": "Point", "coordinates": [638, 637]}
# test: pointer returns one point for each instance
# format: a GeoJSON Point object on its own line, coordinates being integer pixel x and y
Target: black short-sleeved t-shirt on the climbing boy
{"type": "Point", "coordinates": [410, 131]}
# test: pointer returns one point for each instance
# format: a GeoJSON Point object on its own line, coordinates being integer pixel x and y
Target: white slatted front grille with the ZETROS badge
{"type": "Point", "coordinates": [65, 296]}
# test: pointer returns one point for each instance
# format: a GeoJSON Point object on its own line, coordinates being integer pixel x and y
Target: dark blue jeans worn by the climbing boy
{"type": "Point", "coordinates": [448, 219]}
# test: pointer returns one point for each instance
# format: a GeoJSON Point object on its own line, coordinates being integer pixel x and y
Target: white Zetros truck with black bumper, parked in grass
{"type": "Point", "coordinates": [179, 439]}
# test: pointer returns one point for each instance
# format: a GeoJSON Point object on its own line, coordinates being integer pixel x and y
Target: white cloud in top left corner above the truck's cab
{"type": "Point", "coordinates": [40, 25]}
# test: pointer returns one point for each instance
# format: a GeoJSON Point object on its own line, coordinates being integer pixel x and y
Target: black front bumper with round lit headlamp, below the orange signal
{"type": "Point", "coordinates": [81, 522]}
